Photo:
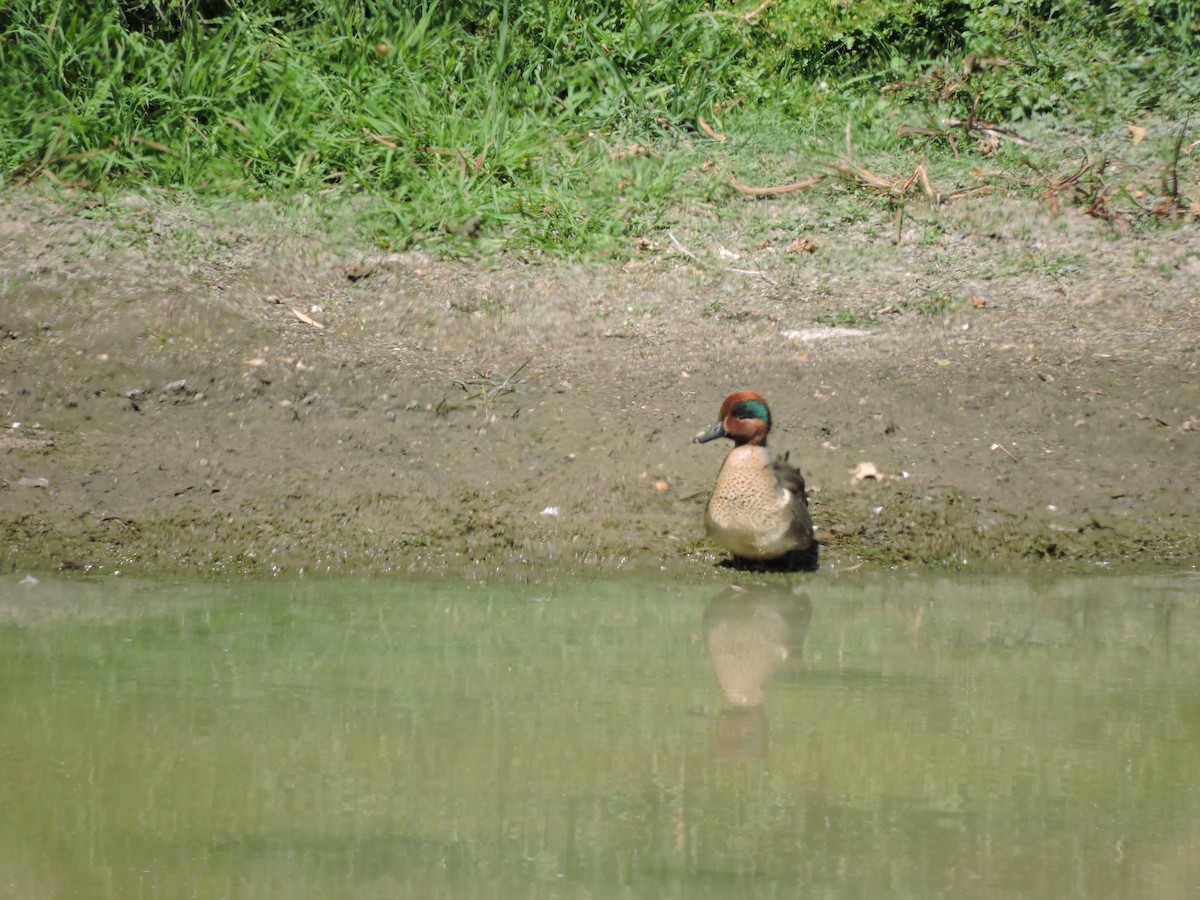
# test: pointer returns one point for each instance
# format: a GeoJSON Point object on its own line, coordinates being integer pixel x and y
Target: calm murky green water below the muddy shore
{"type": "Point", "coordinates": [903, 737]}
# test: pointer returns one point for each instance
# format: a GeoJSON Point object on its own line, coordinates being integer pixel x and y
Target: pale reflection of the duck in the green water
{"type": "Point", "coordinates": [753, 634]}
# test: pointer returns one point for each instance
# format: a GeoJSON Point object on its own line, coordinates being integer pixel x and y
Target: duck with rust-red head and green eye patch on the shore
{"type": "Point", "coordinates": [759, 507]}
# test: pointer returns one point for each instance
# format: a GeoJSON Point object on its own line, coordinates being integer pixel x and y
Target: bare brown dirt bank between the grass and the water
{"type": "Point", "coordinates": [199, 393]}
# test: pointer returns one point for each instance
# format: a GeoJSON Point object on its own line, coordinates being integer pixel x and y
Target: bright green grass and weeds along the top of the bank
{"type": "Point", "coordinates": [547, 125]}
